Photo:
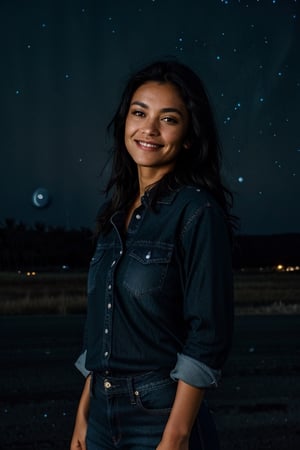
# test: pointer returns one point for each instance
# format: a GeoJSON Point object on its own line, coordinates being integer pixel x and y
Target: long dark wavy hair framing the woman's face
{"type": "Point", "coordinates": [198, 166]}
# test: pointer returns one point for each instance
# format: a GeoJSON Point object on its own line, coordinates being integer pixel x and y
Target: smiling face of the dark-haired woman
{"type": "Point", "coordinates": [156, 126]}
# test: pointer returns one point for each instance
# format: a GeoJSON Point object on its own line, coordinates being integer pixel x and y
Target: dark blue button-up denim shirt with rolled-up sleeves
{"type": "Point", "coordinates": [160, 295]}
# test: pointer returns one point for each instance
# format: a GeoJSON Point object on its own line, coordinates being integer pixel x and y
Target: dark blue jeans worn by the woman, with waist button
{"type": "Point", "coordinates": [130, 413]}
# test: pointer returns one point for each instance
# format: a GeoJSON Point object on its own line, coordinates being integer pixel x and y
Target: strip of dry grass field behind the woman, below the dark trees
{"type": "Point", "coordinates": [260, 292]}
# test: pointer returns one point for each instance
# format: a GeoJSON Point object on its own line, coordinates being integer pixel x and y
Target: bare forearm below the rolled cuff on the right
{"type": "Point", "coordinates": [183, 415]}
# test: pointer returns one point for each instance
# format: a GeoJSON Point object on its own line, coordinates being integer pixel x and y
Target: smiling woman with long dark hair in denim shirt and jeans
{"type": "Point", "coordinates": [160, 312]}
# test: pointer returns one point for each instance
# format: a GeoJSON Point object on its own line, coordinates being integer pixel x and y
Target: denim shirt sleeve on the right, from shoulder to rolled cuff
{"type": "Point", "coordinates": [208, 297]}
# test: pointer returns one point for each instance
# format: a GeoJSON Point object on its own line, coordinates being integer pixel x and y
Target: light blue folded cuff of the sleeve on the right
{"type": "Point", "coordinates": [195, 373]}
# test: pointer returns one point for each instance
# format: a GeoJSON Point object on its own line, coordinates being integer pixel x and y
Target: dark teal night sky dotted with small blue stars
{"type": "Point", "coordinates": [63, 67]}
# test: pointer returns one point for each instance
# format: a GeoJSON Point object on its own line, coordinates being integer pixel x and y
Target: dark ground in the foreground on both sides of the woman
{"type": "Point", "coordinates": [257, 405]}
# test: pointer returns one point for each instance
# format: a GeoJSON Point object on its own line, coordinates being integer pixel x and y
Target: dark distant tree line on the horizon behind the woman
{"type": "Point", "coordinates": [53, 248]}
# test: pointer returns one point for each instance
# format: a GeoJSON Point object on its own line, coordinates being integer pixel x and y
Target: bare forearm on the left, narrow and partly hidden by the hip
{"type": "Point", "coordinates": [80, 428]}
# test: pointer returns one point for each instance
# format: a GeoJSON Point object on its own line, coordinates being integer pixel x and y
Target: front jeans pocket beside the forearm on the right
{"type": "Point", "coordinates": [157, 398]}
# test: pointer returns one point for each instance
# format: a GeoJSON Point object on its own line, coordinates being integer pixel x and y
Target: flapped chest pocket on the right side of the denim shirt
{"type": "Point", "coordinates": [147, 268]}
